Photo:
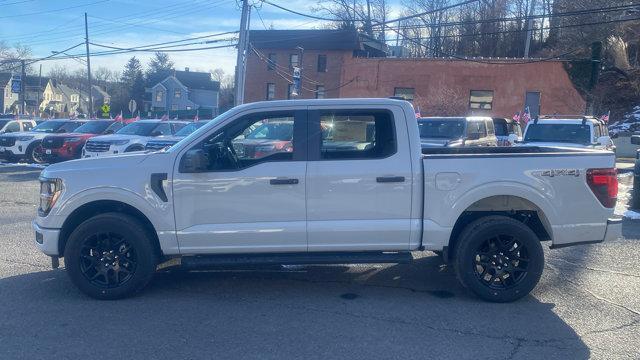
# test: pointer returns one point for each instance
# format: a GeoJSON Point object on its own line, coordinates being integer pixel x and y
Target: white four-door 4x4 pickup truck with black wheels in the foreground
{"type": "Point", "coordinates": [352, 187]}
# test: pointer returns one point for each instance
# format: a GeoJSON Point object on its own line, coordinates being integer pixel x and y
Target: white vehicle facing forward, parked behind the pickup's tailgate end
{"type": "Point", "coordinates": [582, 132]}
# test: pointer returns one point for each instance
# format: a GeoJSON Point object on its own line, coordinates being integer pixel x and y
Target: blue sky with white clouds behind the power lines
{"type": "Point", "coordinates": [56, 25]}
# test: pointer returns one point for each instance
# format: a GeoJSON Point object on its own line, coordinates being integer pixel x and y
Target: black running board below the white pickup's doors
{"type": "Point", "coordinates": [199, 261]}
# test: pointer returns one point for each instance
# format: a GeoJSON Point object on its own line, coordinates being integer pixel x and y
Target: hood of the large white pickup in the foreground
{"type": "Point", "coordinates": [124, 162]}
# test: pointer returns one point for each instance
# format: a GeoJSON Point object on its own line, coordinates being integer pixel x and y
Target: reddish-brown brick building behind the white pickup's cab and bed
{"type": "Point", "coordinates": [347, 64]}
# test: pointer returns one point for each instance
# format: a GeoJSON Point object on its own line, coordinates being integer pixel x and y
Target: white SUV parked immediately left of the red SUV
{"type": "Point", "coordinates": [25, 145]}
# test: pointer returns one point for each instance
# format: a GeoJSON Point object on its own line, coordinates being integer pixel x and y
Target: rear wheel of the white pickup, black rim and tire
{"type": "Point", "coordinates": [498, 258]}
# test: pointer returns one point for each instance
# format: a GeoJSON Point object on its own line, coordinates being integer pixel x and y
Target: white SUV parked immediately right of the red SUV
{"type": "Point", "coordinates": [132, 137]}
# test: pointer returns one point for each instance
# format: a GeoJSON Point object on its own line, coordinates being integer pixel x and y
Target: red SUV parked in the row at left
{"type": "Point", "coordinates": [61, 147]}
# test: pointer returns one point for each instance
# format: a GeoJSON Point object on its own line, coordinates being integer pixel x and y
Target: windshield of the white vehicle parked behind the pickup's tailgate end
{"type": "Point", "coordinates": [567, 133]}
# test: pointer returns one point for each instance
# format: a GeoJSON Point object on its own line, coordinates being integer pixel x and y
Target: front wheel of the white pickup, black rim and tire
{"type": "Point", "coordinates": [110, 256]}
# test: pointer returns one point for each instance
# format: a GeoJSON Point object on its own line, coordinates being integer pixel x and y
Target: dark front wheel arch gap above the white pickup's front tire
{"type": "Point", "coordinates": [93, 208]}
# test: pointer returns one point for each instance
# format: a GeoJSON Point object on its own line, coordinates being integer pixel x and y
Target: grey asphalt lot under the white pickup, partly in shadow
{"type": "Point", "coordinates": [587, 305]}
